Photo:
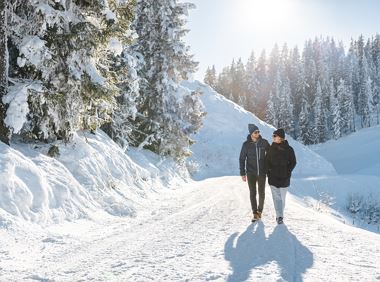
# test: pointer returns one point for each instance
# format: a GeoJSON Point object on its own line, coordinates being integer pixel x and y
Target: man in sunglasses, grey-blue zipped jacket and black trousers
{"type": "Point", "coordinates": [252, 167]}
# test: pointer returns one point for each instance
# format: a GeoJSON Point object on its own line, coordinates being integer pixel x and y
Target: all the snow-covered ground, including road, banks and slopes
{"type": "Point", "coordinates": [97, 214]}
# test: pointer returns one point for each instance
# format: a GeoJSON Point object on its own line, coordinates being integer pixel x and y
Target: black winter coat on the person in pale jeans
{"type": "Point", "coordinates": [280, 162]}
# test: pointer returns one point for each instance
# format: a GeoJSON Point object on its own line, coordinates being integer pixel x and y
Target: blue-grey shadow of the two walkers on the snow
{"type": "Point", "coordinates": [253, 250]}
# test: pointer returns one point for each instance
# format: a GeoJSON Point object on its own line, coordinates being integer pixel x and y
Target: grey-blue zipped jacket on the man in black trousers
{"type": "Point", "coordinates": [252, 156]}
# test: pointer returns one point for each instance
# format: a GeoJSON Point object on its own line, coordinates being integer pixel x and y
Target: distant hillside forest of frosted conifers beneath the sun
{"type": "Point", "coordinates": [321, 93]}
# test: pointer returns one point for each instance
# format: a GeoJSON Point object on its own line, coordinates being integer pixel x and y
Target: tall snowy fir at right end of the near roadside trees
{"type": "Point", "coordinates": [165, 123]}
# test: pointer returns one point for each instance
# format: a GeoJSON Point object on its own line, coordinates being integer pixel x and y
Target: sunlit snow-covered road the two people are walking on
{"type": "Point", "coordinates": [200, 232]}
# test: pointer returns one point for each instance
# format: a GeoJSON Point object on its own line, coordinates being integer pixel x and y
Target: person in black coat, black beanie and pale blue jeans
{"type": "Point", "coordinates": [280, 162]}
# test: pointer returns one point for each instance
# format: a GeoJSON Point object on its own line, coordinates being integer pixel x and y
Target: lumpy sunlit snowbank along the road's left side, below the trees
{"type": "Point", "coordinates": [91, 174]}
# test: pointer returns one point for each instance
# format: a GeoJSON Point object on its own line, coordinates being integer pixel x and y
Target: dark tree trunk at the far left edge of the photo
{"type": "Point", "coordinates": [4, 131]}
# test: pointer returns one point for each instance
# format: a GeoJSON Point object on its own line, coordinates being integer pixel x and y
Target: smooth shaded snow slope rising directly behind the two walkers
{"type": "Point", "coordinates": [217, 148]}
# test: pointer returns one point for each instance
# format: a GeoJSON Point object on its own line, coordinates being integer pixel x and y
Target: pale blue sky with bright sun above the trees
{"type": "Point", "coordinates": [221, 30]}
